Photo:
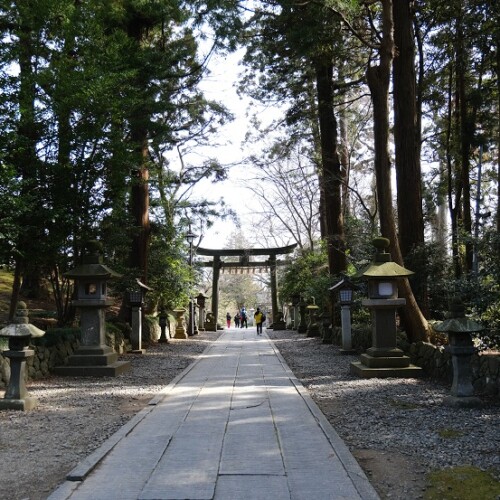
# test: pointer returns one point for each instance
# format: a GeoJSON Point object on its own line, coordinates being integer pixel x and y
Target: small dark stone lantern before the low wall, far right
{"type": "Point", "coordinates": [459, 330]}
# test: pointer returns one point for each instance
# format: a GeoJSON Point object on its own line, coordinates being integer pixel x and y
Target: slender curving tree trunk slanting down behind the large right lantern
{"type": "Point", "coordinates": [378, 78]}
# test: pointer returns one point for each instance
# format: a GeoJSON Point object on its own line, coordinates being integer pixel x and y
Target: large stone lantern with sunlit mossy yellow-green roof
{"type": "Point", "coordinates": [384, 358]}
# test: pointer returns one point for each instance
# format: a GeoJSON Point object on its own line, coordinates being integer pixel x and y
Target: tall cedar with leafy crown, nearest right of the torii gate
{"type": "Point", "coordinates": [291, 47]}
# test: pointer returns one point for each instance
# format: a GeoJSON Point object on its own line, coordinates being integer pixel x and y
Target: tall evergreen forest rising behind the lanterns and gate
{"type": "Point", "coordinates": [96, 95]}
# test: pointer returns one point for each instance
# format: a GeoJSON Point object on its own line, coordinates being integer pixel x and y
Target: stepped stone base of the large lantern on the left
{"type": "Point", "coordinates": [93, 362]}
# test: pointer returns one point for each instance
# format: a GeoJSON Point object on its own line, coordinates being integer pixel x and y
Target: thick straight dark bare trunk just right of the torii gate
{"type": "Point", "coordinates": [331, 169]}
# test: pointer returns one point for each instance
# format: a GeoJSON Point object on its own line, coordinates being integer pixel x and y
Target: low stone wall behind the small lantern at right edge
{"type": "Point", "coordinates": [436, 363]}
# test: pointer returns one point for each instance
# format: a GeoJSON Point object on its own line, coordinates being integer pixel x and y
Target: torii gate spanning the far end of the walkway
{"type": "Point", "coordinates": [244, 262]}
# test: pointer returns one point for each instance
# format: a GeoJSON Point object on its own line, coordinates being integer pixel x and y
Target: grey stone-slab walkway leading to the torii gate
{"type": "Point", "coordinates": [235, 425]}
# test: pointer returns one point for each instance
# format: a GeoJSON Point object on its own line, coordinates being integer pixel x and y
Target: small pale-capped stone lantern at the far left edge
{"type": "Point", "coordinates": [19, 334]}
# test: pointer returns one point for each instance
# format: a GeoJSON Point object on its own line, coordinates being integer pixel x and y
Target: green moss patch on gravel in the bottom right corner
{"type": "Point", "coordinates": [462, 483]}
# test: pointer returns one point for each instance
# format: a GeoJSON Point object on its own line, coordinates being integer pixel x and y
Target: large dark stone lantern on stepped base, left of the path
{"type": "Point", "coordinates": [93, 358]}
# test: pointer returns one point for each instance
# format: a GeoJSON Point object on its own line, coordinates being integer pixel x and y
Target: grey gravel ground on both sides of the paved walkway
{"type": "Point", "coordinates": [397, 429]}
